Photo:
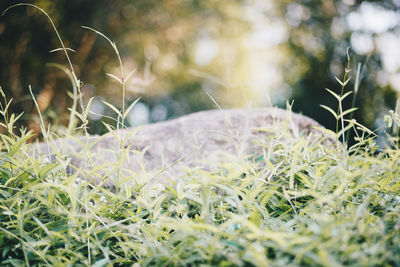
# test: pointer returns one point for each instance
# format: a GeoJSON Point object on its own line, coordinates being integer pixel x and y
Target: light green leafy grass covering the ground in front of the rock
{"type": "Point", "coordinates": [299, 203]}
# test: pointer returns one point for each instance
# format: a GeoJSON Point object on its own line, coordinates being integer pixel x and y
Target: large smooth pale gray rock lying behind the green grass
{"type": "Point", "coordinates": [162, 150]}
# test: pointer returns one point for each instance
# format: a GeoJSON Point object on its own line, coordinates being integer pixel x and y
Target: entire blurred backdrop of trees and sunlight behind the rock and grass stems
{"type": "Point", "coordinates": [240, 52]}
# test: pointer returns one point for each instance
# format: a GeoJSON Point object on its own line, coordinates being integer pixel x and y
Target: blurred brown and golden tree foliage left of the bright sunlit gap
{"type": "Point", "coordinates": [159, 38]}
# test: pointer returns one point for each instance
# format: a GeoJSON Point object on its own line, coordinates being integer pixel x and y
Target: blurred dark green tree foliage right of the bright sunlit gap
{"type": "Point", "coordinates": [319, 34]}
